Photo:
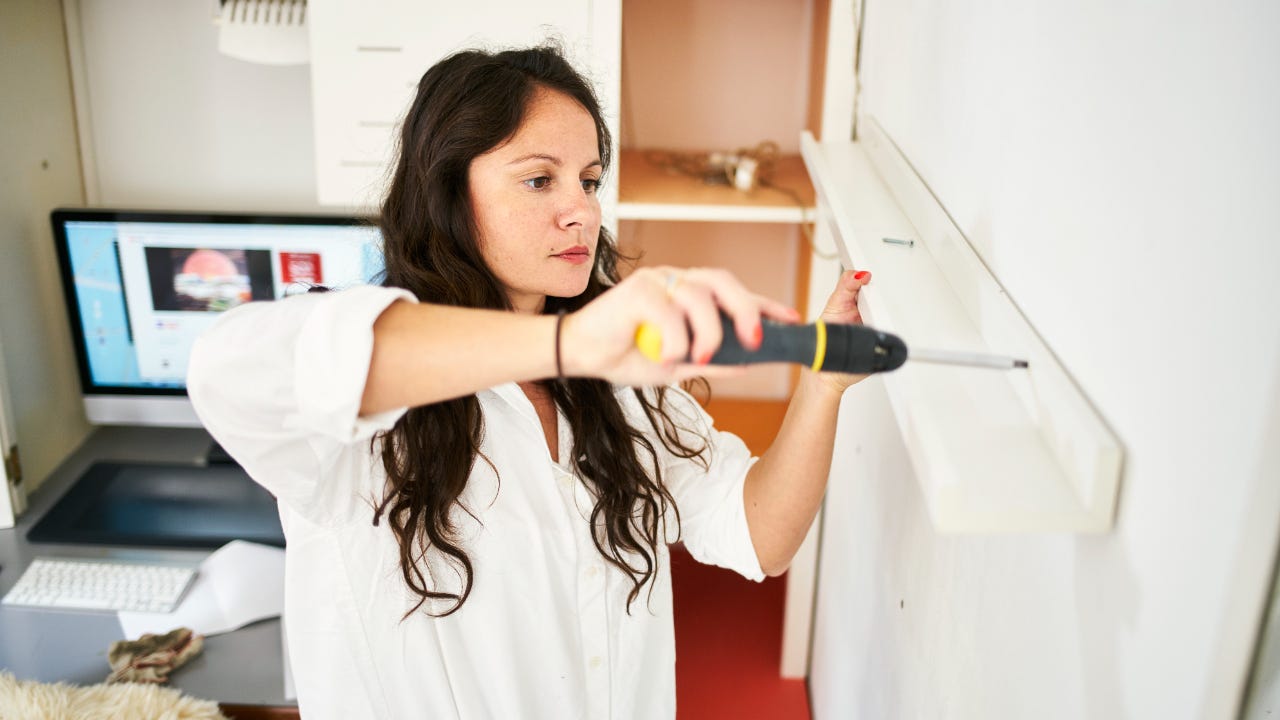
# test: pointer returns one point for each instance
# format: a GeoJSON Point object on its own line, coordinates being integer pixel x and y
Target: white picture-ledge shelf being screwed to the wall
{"type": "Point", "coordinates": [993, 450]}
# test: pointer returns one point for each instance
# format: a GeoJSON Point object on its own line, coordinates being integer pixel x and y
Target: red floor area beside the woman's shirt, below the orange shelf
{"type": "Point", "coordinates": [729, 644]}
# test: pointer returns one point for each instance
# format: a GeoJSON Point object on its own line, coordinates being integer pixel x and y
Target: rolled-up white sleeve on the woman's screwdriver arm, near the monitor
{"type": "Point", "coordinates": [280, 388]}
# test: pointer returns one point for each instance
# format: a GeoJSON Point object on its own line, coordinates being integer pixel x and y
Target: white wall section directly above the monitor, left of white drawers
{"type": "Point", "coordinates": [175, 125]}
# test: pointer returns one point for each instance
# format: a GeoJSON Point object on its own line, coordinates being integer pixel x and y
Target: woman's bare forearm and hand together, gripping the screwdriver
{"type": "Point", "coordinates": [431, 353]}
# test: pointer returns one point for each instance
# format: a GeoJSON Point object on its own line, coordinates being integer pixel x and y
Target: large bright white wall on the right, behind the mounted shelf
{"type": "Point", "coordinates": [1119, 170]}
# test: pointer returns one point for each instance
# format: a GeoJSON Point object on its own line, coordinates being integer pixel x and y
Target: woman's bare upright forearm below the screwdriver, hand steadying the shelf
{"type": "Point", "coordinates": [784, 490]}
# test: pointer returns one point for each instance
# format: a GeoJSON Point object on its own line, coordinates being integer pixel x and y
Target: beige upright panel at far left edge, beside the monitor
{"type": "Point", "coordinates": [39, 171]}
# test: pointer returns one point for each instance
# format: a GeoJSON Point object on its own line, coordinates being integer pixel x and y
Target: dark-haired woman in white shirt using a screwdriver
{"type": "Point", "coordinates": [477, 503]}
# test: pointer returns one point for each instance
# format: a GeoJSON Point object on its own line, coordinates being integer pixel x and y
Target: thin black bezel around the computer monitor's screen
{"type": "Point", "coordinates": [60, 218]}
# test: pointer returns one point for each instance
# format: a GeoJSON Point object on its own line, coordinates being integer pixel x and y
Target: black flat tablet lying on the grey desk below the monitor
{"type": "Point", "coordinates": [163, 505]}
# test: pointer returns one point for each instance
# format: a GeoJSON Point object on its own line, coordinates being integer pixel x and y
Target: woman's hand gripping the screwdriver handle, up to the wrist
{"type": "Point", "coordinates": [684, 306]}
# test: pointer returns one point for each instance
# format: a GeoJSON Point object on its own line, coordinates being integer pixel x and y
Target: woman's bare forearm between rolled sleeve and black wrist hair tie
{"type": "Point", "coordinates": [427, 354]}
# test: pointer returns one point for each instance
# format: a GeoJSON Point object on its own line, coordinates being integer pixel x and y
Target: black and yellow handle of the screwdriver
{"type": "Point", "coordinates": [821, 347]}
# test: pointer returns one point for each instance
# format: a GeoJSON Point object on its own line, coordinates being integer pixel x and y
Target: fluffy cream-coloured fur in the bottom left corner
{"type": "Point", "coordinates": [29, 700]}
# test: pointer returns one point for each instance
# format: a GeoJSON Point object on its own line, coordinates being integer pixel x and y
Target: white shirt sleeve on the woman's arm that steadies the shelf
{"type": "Point", "coordinates": [711, 499]}
